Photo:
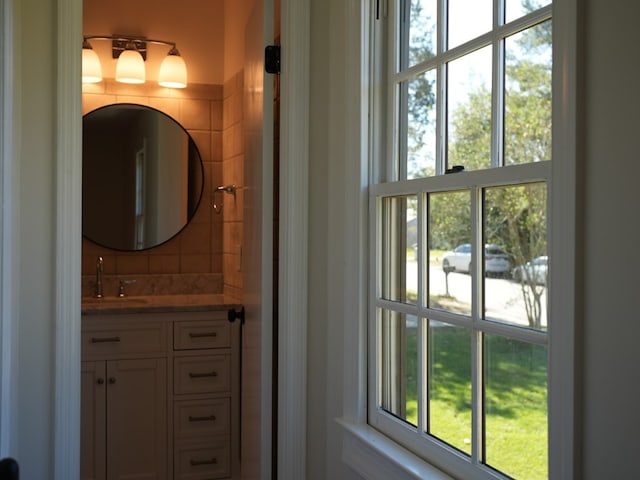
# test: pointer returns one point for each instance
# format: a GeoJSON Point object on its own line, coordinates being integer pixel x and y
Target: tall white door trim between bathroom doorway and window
{"type": "Point", "coordinates": [293, 228]}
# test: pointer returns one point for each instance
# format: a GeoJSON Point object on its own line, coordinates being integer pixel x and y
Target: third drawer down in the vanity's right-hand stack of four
{"type": "Point", "coordinates": [202, 418]}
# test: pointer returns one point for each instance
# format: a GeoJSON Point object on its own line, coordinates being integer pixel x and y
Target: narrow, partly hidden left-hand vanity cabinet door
{"type": "Point", "coordinates": [92, 422]}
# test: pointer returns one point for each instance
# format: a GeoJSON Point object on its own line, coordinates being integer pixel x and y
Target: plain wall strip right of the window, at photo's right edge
{"type": "Point", "coordinates": [611, 167]}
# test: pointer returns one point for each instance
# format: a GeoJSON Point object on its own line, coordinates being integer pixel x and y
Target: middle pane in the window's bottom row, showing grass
{"type": "Point", "coordinates": [450, 384]}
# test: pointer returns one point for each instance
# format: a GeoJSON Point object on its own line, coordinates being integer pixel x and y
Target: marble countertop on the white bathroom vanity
{"type": "Point", "coordinates": [157, 304]}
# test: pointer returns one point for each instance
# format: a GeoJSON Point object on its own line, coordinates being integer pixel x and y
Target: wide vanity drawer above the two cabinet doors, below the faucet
{"type": "Point", "coordinates": [105, 339]}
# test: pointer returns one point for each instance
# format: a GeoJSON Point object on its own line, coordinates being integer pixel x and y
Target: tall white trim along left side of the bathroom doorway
{"type": "Point", "coordinates": [68, 242]}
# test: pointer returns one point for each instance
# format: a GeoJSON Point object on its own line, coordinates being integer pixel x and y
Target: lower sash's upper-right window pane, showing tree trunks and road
{"type": "Point", "coordinates": [515, 219]}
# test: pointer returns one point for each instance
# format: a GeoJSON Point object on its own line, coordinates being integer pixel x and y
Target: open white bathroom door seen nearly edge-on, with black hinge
{"type": "Point", "coordinates": [257, 255]}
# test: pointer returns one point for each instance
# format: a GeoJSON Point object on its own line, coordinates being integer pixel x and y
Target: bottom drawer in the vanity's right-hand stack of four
{"type": "Point", "coordinates": [202, 460]}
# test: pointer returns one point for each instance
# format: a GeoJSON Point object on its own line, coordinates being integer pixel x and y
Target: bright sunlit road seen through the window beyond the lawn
{"type": "Point", "coordinates": [504, 299]}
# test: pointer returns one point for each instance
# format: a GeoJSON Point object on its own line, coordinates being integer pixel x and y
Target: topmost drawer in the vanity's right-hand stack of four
{"type": "Point", "coordinates": [201, 334]}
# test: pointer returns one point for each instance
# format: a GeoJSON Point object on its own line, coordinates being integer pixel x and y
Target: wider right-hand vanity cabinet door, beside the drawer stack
{"type": "Point", "coordinates": [137, 419]}
